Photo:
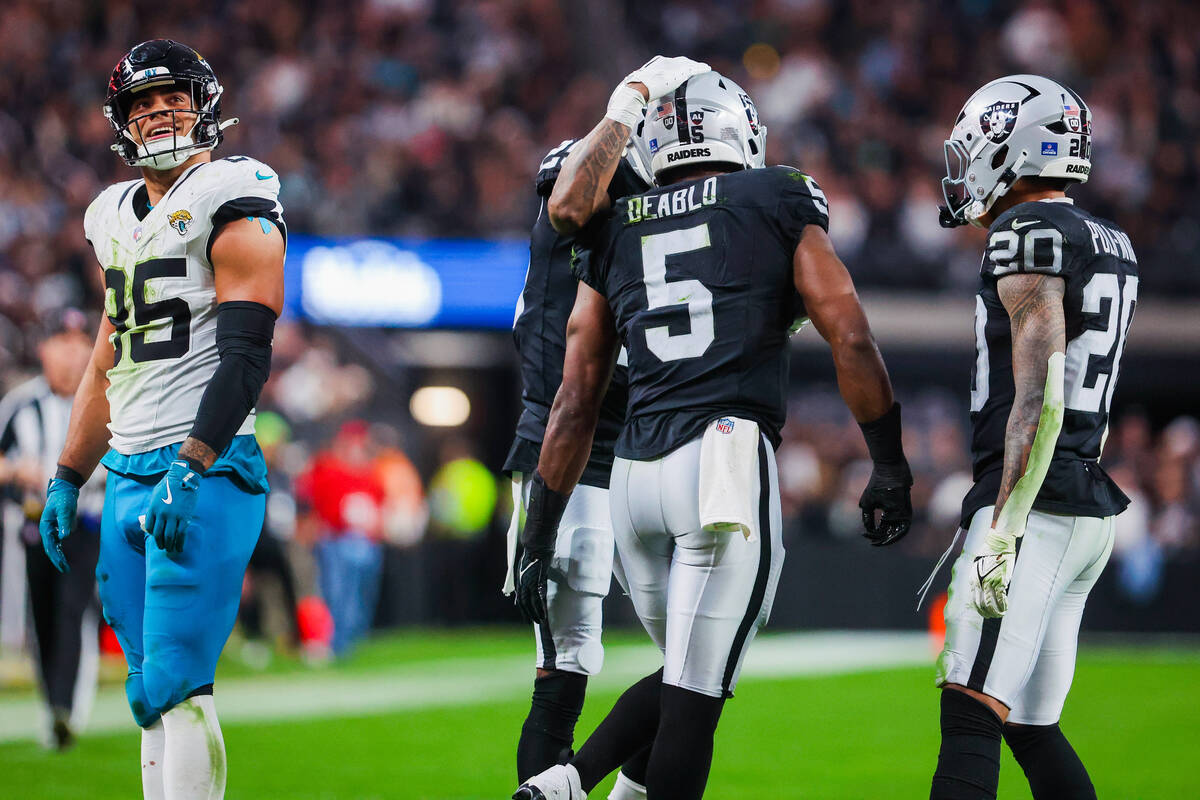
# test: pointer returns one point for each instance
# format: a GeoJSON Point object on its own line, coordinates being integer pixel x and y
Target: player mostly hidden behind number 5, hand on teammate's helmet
{"type": "Point", "coordinates": [568, 640]}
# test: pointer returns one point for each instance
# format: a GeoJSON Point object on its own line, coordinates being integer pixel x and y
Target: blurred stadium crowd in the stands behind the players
{"type": "Point", "coordinates": [427, 118]}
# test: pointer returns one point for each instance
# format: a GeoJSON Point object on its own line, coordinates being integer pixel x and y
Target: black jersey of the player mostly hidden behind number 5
{"type": "Point", "coordinates": [541, 333]}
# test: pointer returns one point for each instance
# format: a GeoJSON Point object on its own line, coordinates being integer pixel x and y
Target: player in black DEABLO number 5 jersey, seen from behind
{"type": "Point", "coordinates": [699, 279]}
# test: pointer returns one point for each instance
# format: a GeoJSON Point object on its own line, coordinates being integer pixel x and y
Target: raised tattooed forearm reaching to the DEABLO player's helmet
{"type": "Point", "coordinates": [583, 185]}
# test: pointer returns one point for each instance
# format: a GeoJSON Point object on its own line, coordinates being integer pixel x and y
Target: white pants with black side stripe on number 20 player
{"type": "Point", "coordinates": [1027, 659]}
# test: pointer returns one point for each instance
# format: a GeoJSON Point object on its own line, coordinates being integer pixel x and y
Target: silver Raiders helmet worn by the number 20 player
{"type": "Point", "coordinates": [1013, 127]}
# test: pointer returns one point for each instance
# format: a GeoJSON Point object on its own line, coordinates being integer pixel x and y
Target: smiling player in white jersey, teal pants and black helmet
{"type": "Point", "coordinates": [193, 258]}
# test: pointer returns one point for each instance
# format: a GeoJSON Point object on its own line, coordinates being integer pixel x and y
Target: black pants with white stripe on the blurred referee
{"type": "Point", "coordinates": [59, 605]}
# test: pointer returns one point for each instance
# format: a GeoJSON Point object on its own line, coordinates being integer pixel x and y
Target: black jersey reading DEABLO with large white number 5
{"type": "Point", "coordinates": [700, 279]}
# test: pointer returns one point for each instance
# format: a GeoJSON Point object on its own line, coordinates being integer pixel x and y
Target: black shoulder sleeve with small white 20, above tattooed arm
{"type": "Point", "coordinates": [1037, 238]}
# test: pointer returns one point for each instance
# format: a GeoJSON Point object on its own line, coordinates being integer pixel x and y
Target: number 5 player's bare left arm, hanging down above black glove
{"type": "Point", "coordinates": [587, 369]}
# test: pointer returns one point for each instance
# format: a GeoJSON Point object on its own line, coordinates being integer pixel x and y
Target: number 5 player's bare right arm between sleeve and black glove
{"type": "Point", "coordinates": [833, 306]}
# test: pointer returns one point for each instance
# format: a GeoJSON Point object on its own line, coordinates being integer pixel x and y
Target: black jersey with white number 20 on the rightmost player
{"type": "Point", "coordinates": [1097, 262]}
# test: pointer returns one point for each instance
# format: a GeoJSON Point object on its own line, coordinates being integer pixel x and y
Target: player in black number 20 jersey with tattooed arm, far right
{"type": "Point", "coordinates": [1058, 293]}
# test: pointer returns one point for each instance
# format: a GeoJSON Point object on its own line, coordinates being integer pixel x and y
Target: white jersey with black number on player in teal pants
{"type": "Point", "coordinates": [160, 294]}
